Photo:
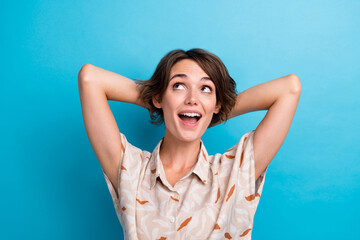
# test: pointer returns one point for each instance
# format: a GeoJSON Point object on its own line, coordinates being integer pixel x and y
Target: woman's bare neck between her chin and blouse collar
{"type": "Point", "coordinates": [177, 155]}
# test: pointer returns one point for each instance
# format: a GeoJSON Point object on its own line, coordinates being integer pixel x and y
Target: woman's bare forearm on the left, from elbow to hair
{"type": "Point", "coordinates": [115, 86]}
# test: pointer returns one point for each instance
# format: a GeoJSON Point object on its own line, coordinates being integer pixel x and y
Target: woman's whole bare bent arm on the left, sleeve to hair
{"type": "Point", "coordinates": [96, 87]}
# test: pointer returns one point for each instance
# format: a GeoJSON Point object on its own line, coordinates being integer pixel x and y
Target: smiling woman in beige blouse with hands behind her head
{"type": "Point", "coordinates": [178, 191]}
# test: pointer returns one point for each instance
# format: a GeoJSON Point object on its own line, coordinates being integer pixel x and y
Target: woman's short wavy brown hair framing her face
{"type": "Point", "coordinates": [211, 65]}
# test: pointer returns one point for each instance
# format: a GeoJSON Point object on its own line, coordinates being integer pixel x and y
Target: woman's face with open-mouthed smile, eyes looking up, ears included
{"type": "Point", "coordinates": [189, 102]}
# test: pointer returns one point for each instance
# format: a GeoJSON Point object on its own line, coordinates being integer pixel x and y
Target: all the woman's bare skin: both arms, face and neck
{"type": "Point", "coordinates": [279, 97]}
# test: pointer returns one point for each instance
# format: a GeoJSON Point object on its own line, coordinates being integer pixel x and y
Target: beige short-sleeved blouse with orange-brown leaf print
{"type": "Point", "coordinates": [217, 199]}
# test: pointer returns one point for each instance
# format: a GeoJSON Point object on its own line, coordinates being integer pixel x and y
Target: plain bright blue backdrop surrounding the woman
{"type": "Point", "coordinates": [52, 186]}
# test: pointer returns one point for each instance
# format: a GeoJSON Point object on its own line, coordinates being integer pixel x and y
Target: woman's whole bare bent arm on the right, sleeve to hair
{"type": "Point", "coordinates": [280, 98]}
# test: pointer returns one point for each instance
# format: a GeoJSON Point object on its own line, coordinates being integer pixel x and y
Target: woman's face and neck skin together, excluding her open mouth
{"type": "Point", "coordinates": [192, 90]}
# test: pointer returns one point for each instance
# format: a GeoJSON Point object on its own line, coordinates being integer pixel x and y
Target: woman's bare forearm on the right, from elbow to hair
{"type": "Point", "coordinates": [262, 96]}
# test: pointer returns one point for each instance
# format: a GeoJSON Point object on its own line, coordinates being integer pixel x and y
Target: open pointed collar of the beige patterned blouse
{"type": "Point", "coordinates": [201, 168]}
